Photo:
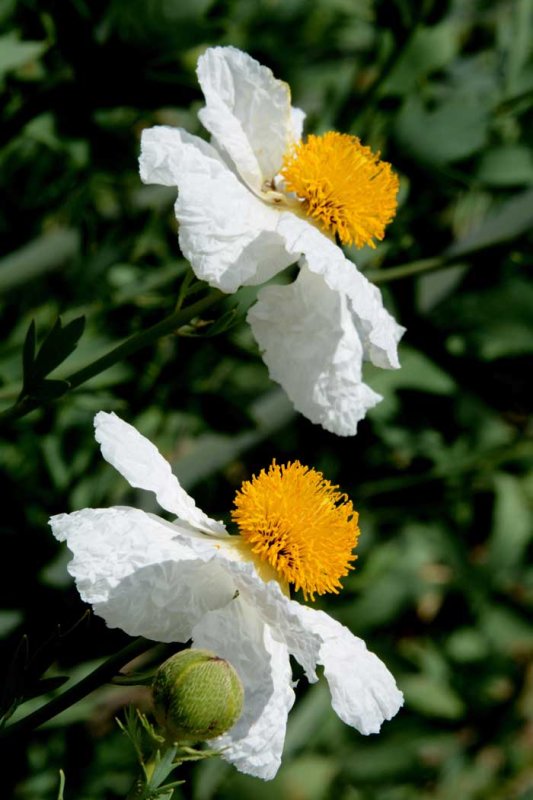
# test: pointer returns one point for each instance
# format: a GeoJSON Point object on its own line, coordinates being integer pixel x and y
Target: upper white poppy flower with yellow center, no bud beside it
{"type": "Point", "coordinates": [257, 199]}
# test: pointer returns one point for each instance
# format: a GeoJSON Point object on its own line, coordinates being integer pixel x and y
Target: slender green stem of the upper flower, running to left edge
{"type": "Point", "coordinates": [122, 351]}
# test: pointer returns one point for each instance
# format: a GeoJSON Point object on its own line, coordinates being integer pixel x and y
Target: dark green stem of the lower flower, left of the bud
{"type": "Point", "coordinates": [101, 674]}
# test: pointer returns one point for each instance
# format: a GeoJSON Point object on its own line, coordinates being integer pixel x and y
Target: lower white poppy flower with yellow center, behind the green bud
{"type": "Point", "coordinates": [190, 579]}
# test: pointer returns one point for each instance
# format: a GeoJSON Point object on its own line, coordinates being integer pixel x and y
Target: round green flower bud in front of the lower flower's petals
{"type": "Point", "coordinates": [197, 696]}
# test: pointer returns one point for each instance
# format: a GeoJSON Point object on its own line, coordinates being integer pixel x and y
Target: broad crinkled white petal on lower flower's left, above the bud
{"type": "Point", "coordinates": [142, 574]}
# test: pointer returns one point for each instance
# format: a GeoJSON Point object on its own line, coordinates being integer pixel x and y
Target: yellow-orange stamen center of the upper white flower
{"type": "Point", "coordinates": [343, 185]}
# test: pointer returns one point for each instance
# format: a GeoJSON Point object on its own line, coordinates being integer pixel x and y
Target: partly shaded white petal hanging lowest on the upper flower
{"type": "Point", "coordinates": [312, 348]}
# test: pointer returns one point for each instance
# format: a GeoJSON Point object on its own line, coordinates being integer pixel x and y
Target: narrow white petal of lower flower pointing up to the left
{"type": "Point", "coordinates": [143, 466]}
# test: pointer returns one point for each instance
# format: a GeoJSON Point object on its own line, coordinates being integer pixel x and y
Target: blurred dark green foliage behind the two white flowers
{"type": "Point", "coordinates": [441, 469]}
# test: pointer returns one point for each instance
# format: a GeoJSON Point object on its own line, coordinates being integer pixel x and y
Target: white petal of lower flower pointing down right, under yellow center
{"type": "Point", "coordinates": [363, 691]}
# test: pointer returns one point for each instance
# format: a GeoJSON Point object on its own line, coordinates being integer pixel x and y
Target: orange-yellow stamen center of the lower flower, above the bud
{"type": "Point", "coordinates": [300, 524]}
